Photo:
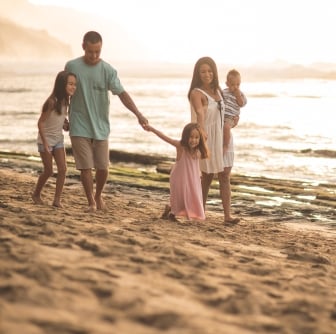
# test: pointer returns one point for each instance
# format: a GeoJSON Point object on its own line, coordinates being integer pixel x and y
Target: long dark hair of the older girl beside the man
{"type": "Point", "coordinates": [59, 93]}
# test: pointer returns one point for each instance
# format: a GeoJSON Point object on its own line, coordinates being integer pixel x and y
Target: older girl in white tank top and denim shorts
{"type": "Point", "coordinates": [50, 141]}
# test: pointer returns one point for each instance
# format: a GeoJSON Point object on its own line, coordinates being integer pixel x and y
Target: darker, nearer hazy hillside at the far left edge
{"type": "Point", "coordinates": [18, 42]}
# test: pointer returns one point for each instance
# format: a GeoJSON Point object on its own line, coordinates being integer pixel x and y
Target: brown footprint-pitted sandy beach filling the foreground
{"type": "Point", "coordinates": [129, 271]}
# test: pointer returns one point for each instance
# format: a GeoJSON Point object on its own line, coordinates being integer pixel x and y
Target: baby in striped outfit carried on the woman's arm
{"type": "Point", "coordinates": [234, 100]}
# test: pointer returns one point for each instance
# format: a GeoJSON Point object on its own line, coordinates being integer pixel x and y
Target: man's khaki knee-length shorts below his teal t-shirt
{"type": "Point", "coordinates": [90, 153]}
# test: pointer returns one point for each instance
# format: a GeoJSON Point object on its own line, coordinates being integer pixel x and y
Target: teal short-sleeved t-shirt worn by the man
{"type": "Point", "coordinates": [89, 107]}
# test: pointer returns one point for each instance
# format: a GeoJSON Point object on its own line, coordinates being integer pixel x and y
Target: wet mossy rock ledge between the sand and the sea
{"type": "Point", "coordinates": [281, 200]}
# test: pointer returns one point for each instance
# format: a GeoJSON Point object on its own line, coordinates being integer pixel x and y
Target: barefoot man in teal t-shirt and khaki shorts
{"type": "Point", "coordinates": [89, 115]}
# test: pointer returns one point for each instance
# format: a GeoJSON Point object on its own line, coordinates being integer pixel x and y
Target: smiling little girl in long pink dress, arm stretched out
{"type": "Point", "coordinates": [185, 179]}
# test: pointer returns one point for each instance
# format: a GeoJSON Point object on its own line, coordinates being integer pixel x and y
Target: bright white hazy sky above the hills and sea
{"type": "Point", "coordinates": [236, 31]}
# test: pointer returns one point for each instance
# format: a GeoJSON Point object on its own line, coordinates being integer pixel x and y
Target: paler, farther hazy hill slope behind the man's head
{"type": "Point", "coordinates": [69, 25]}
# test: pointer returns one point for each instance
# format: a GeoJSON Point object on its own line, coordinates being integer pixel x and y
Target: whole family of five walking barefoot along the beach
{"type": "Point", "coordinates": [79, 103]}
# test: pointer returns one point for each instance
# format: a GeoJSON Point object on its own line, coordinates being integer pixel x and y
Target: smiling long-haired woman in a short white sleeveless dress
{"type": "Point", "coordinates": [207, 107]}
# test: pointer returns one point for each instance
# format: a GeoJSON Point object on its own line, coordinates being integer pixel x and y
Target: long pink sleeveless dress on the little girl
{"type": "Point", "coordinates": [185, 188]}
